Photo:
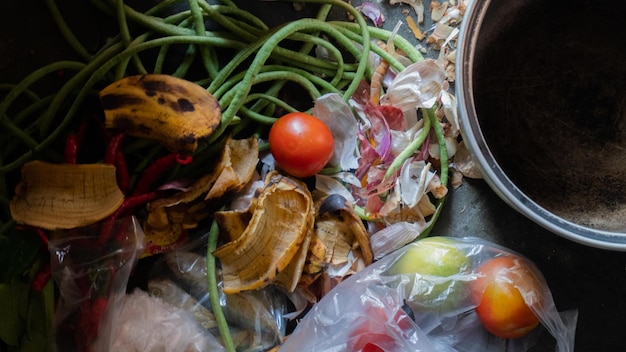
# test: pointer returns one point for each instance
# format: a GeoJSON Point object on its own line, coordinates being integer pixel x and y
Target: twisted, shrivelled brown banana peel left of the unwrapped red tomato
{"type": "Point", "coordinates": [168, 217]}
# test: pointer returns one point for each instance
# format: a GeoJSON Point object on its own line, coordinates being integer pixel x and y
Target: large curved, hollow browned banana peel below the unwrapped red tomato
{"type": "Point", "coordinates": [282, 216]}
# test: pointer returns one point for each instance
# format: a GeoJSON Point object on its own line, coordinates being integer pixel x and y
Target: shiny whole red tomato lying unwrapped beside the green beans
{"type": "Point", "coordinates": [301, 144]}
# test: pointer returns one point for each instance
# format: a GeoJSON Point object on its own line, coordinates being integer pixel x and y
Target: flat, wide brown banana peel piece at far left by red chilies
{"type": "Point", "coordinates": [65, 196]}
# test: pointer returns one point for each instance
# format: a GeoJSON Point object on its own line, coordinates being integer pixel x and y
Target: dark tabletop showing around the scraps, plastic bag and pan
{"type": "Point", "coordinates": [591, 280]}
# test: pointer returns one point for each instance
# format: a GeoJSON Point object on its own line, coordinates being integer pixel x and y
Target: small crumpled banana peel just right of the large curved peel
{"type": "Point", "coordinates": [338, 235]}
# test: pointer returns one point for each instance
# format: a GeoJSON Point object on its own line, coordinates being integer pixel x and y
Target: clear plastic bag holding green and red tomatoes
{"type": "Point", "coordinates": [424, 298]}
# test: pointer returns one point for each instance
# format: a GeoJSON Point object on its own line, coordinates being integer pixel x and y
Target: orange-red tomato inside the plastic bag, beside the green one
{"type": "Point", "coordinates": [500, 305]}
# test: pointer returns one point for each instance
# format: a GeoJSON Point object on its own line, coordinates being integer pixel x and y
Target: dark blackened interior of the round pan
{"type": "Point", "coordinates": [549, 83]}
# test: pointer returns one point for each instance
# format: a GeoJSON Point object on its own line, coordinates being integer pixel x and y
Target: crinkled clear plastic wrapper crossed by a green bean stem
{"type": "Point", "coordinates": [255, 318]}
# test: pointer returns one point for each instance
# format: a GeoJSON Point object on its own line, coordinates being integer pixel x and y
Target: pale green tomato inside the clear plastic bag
{"type": "Point", "coordinates": [434, 266]}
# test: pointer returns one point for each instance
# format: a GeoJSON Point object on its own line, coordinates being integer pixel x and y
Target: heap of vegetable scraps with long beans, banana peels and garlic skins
{"type": "Point", "coordinates": [169, 122]}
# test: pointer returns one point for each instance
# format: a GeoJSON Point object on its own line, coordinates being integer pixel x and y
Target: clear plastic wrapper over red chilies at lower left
{"type": "Point", "coordinates": [91, 266]}
